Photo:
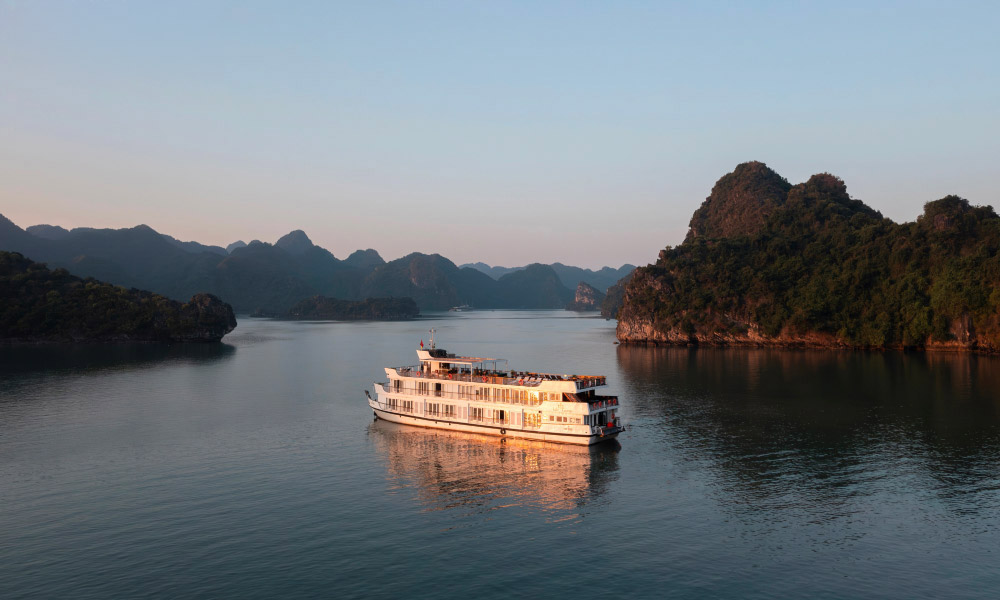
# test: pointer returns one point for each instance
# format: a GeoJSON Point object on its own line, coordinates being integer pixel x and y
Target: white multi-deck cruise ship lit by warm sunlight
{"type": "Point", "coordinates": [470, 393]}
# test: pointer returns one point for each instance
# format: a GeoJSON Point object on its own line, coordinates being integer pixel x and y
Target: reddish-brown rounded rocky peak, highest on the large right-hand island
{"type": "Point", "coordinates": [740, 203]}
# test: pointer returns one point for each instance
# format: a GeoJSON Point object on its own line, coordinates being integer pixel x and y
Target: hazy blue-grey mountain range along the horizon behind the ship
{"type": "Point", "coordinates": [272, 278]}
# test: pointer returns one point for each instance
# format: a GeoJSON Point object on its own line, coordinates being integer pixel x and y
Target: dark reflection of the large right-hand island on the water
{"type": "Point", "coordinates": [824, 435]}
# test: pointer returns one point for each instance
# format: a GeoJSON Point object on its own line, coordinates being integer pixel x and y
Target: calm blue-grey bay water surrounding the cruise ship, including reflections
{"type": "Point", "coordinates": [253, 469]}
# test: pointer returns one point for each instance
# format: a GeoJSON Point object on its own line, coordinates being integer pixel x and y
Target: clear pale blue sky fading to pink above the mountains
{"type": "Point", "coordinates": [504, 132]}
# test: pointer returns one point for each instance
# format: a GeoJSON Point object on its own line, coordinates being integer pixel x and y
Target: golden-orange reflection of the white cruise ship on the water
{"type": "Point", "coordinates": [452, 470]}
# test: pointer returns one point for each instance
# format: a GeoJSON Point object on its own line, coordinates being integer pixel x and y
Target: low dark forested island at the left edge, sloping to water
{"type": "Point", "coordinates": [42, 305]}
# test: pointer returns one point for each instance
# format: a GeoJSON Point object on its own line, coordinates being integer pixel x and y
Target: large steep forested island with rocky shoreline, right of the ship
{"type": "Point", "coordinates": [769, 263]}
